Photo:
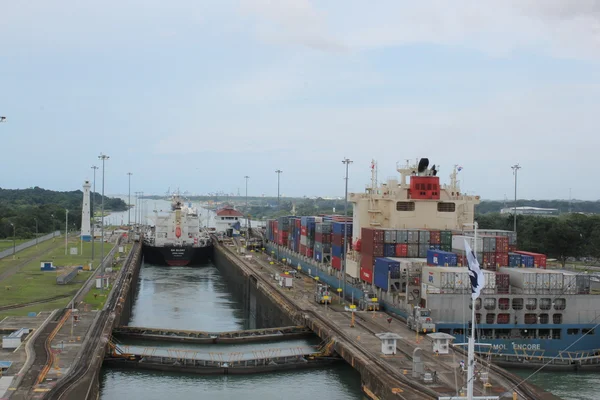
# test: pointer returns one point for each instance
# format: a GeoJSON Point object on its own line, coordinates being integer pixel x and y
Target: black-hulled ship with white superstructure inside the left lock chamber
{"type": "Point", "coordinates": [176, 238]}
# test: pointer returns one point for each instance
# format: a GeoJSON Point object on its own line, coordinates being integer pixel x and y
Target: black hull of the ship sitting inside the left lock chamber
{"type": "Point", "coordinates": [177, 256]}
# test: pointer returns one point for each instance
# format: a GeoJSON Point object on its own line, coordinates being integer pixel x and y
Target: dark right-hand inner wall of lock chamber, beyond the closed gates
{"type": "Point", "coordinates": [261, 311]}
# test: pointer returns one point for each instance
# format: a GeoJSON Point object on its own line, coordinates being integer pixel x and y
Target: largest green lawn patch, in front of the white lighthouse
{"type": "Point", "coordinates": [31, 284]}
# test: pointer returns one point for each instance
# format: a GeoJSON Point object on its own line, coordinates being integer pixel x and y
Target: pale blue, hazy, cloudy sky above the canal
{"type": "Point", "coordinates": [196, 95]}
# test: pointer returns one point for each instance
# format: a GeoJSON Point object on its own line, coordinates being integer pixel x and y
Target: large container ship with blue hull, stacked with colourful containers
{"type": "Point", "coordinates": [405, 247]}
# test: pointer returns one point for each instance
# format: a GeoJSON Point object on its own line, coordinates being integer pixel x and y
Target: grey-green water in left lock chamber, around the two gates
{"type": "Point", "coordinates": [198, 299]}
